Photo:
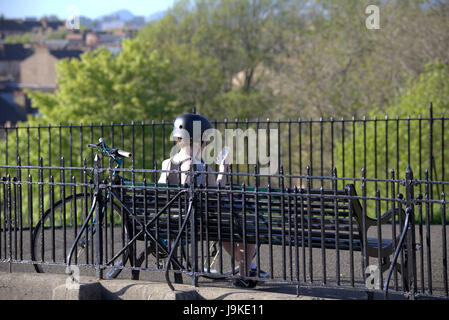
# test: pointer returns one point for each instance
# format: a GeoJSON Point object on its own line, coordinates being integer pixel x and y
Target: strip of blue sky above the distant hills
{"type": "Point", "coordinates": [88, 8]}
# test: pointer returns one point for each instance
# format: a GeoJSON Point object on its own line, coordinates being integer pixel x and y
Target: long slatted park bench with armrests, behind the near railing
{"type": "Point", "coordinates": [299, 218]}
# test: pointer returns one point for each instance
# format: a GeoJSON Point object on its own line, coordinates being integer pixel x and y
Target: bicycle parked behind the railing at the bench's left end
{"type": "Point", "coordinates": [76, 206]}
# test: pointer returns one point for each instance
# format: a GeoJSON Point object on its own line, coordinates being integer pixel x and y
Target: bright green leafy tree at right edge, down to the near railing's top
{"type": "Point", "coordinates": [431, 86]}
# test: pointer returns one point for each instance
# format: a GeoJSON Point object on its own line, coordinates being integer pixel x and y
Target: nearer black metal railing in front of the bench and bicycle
{"type": "Point", "coordinates": [277, 220]}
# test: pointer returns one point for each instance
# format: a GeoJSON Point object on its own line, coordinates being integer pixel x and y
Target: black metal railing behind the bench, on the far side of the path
{"type": "Point", "coordinates": [377, 145]}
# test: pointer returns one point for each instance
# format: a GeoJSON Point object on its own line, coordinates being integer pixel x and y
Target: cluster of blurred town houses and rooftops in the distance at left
{"type": "Point", "coordinates": [31, 48]}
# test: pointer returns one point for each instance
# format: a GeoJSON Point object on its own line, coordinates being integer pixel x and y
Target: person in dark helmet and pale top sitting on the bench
{"type": "Point", "coordinates": [189, 129]}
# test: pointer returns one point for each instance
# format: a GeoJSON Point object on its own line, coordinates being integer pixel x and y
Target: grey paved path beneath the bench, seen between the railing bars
{"type": "Point", "coordinates": [318, 273]}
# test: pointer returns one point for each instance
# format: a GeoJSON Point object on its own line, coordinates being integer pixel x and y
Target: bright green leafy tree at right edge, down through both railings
{"type": "Point", "coordinates": [408, 141]}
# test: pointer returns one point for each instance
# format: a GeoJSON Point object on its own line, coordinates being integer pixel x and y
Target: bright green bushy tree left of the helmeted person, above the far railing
{"type": "Point", "coordinates": [100, 87]}
